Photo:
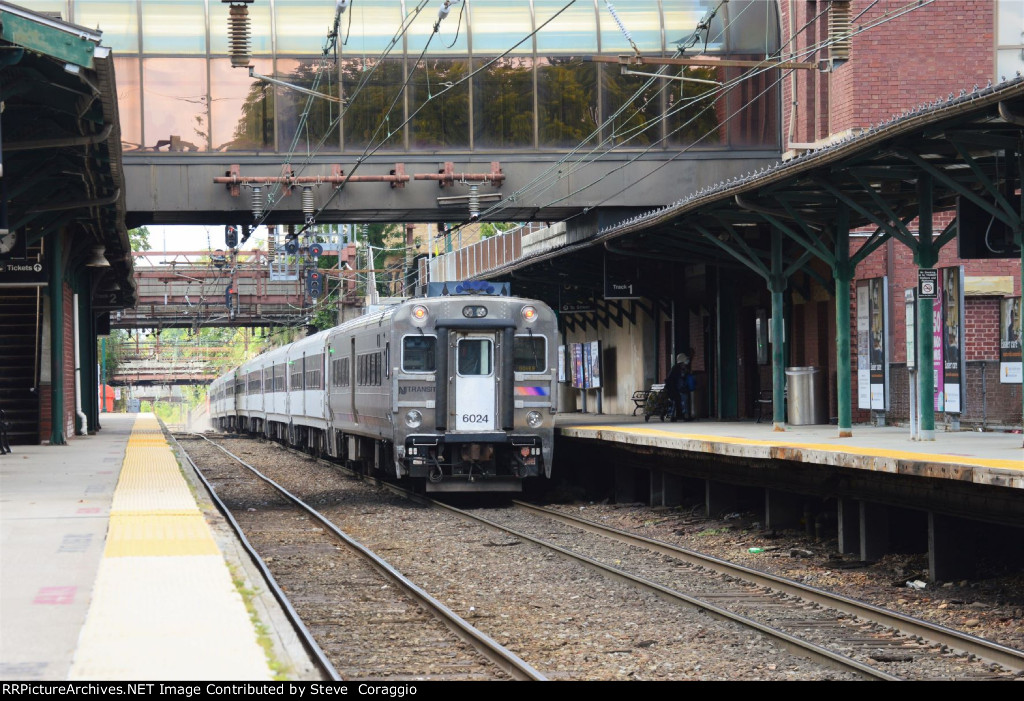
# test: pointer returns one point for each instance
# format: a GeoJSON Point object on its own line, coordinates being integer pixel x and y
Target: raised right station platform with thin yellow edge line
{"type": "Point", "coordinates": [989, 458]}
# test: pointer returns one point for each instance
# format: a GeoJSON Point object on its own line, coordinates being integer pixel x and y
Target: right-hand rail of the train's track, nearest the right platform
{"type": "Point", "coordinates": [1006, 658]}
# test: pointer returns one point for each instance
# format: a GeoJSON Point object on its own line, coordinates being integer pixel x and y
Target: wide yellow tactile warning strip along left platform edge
{"type": "Point", "coordinates": [164, 605]}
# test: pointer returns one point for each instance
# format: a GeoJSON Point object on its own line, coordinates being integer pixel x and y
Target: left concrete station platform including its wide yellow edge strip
{"type": "Point", "coordinates": [110, 572]}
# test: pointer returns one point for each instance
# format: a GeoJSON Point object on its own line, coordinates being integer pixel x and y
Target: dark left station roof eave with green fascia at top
{"type": "Point", "coordinates": [62, 145]}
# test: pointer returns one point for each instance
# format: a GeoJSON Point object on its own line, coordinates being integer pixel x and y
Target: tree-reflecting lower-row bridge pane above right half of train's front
{"type": "Point", "coordinates": [504, 116]}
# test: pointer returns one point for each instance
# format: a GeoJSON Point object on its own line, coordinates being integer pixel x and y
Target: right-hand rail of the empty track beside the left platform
{"type": "Point", "coordinates": [502, 658]}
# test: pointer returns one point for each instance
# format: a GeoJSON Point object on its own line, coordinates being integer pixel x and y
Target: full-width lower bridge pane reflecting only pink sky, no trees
{"type": "Point", "coordinates": [176, 95]}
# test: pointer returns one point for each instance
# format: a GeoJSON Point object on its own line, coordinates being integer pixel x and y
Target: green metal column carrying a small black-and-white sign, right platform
{"type": "Point", "coordinates": [927, 256]}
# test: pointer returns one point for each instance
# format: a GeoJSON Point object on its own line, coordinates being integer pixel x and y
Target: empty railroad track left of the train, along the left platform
{"type": "Point", "coordinates": [403, 641]}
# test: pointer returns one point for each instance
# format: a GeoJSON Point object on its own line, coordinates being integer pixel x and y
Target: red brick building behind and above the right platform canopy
{"type": "Point", "coordinates": [900, 61]}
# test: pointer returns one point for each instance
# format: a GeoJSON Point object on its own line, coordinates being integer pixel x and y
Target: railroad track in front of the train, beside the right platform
{"type": "Point", "coordinates": [833, 629]}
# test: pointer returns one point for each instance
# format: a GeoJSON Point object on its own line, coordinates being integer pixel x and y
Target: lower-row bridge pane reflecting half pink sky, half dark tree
{"type": "Point", "coordinates": [242, 110]}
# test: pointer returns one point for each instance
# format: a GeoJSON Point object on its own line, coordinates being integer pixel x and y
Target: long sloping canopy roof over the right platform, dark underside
{"type": "Point", "coordinates": [873, 177]}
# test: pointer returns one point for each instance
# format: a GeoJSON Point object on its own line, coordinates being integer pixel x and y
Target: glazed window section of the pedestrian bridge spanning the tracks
{"type": "Point", "coordinates": [179, 93]}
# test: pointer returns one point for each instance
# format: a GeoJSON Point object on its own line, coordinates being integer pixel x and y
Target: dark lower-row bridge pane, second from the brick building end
{"type": "Point", "coordinates": [695, 116]}
